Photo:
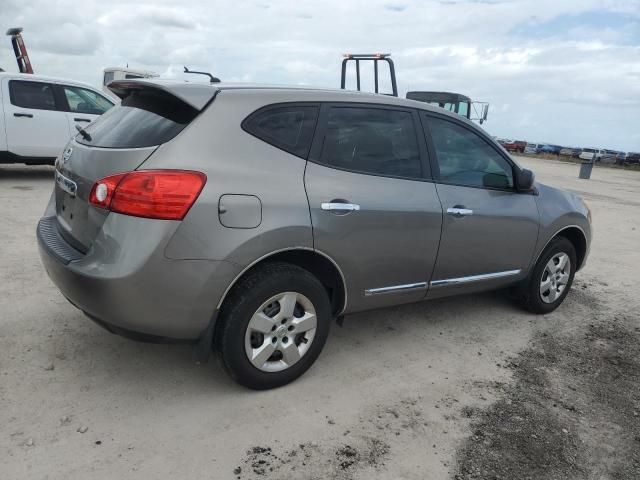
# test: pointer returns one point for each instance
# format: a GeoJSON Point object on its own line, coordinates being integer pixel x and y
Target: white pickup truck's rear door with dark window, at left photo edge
{"type": "Point", "coordinates": [36, 126]}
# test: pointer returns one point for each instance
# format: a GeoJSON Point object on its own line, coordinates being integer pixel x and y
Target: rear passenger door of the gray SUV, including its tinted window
{"type": "Point", "coordinates": [373, 207]}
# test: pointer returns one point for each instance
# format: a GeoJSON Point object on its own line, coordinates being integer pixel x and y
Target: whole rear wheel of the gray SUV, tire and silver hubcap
{"type": "Point", "coordinates": [273, 326]}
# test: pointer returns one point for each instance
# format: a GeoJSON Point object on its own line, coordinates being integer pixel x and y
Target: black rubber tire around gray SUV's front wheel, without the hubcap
{"type": "Point", "coordinates": [529, 292]}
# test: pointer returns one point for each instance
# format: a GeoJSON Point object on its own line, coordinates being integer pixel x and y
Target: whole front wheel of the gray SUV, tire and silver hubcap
{"type": "Point", "coordinates": [551, 279]}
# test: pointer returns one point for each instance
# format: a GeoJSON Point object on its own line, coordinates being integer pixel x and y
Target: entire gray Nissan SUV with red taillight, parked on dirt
{"type": "Point", "coordinates": [244, 218]}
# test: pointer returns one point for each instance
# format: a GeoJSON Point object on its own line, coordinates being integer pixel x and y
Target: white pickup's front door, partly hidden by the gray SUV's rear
{"type": "Point", "coordinates": [82, 105]}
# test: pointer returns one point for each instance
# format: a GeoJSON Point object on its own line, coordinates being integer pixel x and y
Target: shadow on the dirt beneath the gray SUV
{"type": "Point", "coordinates": [135, 368]}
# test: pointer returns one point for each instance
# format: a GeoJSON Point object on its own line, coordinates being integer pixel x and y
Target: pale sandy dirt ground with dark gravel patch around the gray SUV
{"type": "Point", "coordinates": [471, 387]}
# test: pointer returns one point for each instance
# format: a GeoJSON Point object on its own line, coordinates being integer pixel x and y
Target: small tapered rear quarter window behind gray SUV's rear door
{"type": "Point", "coordinates": [289, 128]}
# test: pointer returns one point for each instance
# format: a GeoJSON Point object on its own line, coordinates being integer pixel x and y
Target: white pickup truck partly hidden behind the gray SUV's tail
{"type": "Point", "coordinates": [39, 114]}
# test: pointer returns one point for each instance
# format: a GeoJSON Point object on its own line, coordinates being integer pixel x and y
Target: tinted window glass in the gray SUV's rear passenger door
{"type": "Point", "coordinates": [371, 140]}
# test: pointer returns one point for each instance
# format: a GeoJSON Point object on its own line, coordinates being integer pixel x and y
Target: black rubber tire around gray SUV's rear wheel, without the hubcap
{"type": "Point", "coordinates": [244, 300]}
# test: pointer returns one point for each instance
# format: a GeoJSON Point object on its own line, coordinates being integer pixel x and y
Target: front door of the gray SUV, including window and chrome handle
{"type": "Point", "coordinates": [489, 230]}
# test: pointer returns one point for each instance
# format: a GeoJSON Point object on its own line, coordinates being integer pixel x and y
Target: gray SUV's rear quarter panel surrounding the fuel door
{"type": "Point", "coordinates": [237, 163]}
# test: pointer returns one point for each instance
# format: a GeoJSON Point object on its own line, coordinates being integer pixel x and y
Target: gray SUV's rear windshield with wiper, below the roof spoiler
{"type": "Point", "coordinates": [145, 118]}
